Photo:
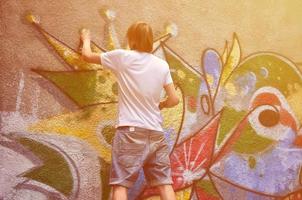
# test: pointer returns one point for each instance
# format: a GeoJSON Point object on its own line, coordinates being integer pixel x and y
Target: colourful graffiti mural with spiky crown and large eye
{"type": "Point", "coordinates": [236, 133]}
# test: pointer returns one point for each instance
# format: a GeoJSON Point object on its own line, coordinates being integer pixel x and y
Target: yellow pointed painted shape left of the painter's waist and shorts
{"type": "Point", "coordinates": [71, 124]}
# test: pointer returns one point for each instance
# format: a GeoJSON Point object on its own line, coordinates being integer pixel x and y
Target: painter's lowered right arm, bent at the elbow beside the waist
{"type": "Point", "coordinates": [172, 98]}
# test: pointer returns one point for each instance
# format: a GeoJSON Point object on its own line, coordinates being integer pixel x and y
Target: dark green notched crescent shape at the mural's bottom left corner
{"type": "Point", "coordinates": [55, 171]}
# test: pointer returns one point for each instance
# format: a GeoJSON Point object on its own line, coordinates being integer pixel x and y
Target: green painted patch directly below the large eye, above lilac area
{"type": "Point", "coordinates": [250, 142]}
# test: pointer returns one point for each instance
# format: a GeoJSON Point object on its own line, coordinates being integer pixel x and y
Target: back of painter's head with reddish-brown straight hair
{"type": "Point", "coordinates": [140, 37]}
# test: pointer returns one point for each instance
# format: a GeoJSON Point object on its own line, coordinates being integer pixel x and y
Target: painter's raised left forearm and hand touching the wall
{"type": "Point", "coordinates": [86, 52]}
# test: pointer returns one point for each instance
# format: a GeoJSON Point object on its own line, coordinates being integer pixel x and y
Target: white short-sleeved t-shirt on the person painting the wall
{"type": "Point", "coordinates": [141, 77]}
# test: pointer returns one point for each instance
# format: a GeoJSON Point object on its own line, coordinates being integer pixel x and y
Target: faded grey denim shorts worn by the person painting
{"type": "Point", "coordinates": [134, 148]}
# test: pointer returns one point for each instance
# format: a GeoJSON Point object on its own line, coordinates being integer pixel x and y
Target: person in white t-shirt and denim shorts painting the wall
{"type": "Point", "coordinates": [139, 141]}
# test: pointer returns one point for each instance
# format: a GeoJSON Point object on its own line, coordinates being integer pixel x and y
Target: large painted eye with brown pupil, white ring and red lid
{"type": "Point", "coordinates": [271, 116]}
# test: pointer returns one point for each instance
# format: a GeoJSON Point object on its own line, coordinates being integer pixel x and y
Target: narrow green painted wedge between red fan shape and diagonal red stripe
{"type": "Point", "coordinates": [230, 118]}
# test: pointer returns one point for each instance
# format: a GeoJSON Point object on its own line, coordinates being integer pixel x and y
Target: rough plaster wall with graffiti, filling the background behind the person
{"type": "Point", "coordinates": [236, 133]}
